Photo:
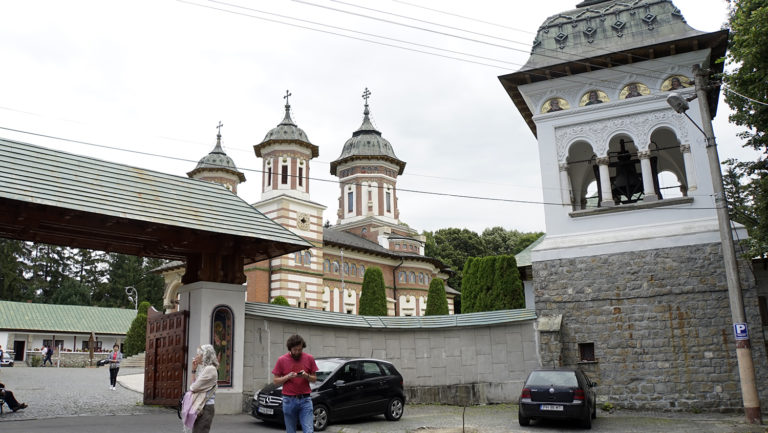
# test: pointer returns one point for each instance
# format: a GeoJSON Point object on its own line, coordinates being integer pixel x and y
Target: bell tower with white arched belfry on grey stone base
{"type": "Point", "coordinates": [631, 266]}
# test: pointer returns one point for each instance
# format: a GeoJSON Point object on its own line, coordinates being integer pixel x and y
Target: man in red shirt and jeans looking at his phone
{"type": "Point", "coordinates": [294, 371]}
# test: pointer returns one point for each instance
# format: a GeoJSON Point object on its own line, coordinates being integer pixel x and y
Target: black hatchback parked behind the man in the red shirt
{"type": "Point", "coordinates": [346, 388]}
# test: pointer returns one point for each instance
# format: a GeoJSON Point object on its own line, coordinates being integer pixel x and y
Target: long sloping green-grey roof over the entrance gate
{"type": "Point", "coordinates": [55, 197]}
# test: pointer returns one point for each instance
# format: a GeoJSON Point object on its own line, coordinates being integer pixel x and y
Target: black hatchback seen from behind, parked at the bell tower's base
{"type": "Point", "coordinates": [558, 393]}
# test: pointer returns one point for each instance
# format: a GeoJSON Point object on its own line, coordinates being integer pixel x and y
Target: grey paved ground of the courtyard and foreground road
{"type": "Point", "coordinates": [78, 400]}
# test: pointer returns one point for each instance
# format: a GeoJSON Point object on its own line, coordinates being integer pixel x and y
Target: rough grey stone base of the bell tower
{"type": "Point", "coordinates": [661, 326]}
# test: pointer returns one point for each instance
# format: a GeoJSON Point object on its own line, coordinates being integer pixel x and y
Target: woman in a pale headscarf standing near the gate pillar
{"type": "Point", "coordinates": [197, 407]}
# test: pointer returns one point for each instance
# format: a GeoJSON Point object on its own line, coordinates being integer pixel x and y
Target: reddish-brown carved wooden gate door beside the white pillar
{"type": "Point", "coordinates": [165, 367]}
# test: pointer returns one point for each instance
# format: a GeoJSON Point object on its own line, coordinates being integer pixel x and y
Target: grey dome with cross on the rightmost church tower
{"type": "Point", "coordinates": [367, 143]}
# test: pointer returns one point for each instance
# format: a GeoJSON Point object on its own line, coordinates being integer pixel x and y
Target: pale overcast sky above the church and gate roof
{"type": "Point", "coordinates": [156, 76]}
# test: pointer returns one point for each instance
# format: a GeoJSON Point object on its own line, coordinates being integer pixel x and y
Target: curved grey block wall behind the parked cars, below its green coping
{"type": "Point", "coordinates": [456, 365]}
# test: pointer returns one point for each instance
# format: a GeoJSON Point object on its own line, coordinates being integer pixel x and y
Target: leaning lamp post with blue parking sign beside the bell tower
{"type": "Point", "coordinates": [743, 347]}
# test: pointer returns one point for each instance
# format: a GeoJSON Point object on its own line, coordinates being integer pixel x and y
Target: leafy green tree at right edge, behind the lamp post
{"type": "Point", "coordinates": [746, 182]}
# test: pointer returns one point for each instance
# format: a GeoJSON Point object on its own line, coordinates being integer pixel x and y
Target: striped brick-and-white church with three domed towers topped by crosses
{"type": "Point", "coordinates": [368, 232]}
